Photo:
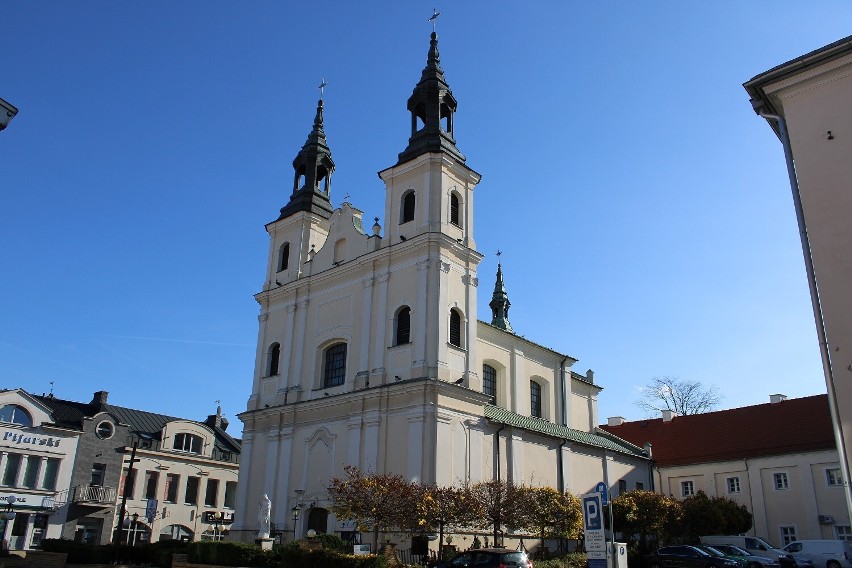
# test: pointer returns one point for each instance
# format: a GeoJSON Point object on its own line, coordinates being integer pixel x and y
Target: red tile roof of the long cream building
{"type": "Point", "coordinates": [790, 426]}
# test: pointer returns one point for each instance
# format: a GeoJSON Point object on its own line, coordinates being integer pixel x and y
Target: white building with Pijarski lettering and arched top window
{"type": "Point", "coordinates": [36, 460]}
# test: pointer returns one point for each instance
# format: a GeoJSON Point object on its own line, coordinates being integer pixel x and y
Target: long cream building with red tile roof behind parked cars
{"type": "Point", "coordinates": [777, 459]}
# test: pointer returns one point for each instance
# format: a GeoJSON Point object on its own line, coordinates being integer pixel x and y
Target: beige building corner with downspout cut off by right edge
{"type": "Point", "coordinates": [806, 102]}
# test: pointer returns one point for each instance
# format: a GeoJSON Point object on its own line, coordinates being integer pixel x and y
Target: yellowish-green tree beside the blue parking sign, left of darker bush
{"type": "Point", "coordinates": [645, 517]}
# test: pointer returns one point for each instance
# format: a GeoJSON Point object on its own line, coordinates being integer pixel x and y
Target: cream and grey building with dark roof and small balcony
{"type": "Point", "coordinates": [181, 483]}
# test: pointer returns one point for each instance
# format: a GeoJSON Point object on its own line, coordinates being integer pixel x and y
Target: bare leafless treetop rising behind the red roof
{"type": "Point", "coordinates": [680, 395]}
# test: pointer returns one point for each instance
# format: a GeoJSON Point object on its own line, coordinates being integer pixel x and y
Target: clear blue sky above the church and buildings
{"type": "Point", "coordinates": [643, 209]}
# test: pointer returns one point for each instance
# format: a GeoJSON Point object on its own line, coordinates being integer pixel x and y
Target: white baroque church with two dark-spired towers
{"type": "Point", "coordinates": [370, 354]}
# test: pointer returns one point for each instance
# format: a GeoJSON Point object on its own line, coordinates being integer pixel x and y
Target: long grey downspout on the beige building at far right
{"type": "Point", "coordinates": [824, 352]}
